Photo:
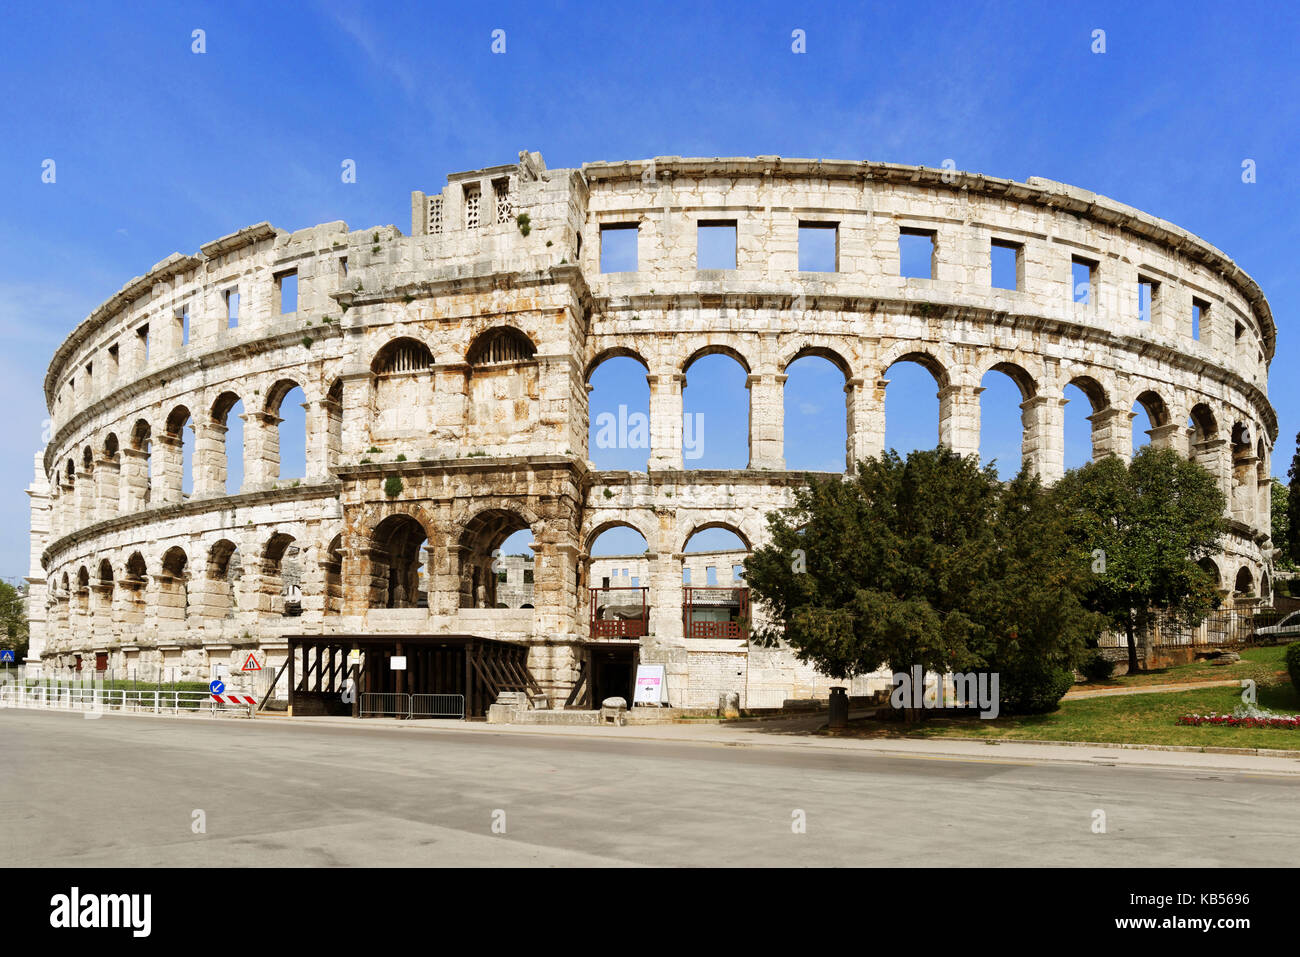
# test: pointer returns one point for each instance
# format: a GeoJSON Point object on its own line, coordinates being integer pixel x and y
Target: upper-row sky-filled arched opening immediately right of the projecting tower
{"type": "Point", "coordinates": [619, 414]}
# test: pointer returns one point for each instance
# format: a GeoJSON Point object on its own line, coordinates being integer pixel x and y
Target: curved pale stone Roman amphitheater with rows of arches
{"type": "Point", "coordinates": [447, 375]}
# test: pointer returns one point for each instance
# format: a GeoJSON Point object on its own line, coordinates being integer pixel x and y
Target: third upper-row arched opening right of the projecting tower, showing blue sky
{"type": "Point", "coordinates": [817, 414]}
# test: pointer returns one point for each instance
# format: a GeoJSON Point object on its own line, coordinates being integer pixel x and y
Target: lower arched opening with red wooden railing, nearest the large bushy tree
{"type": "Point", "coordinates": [716, 600]}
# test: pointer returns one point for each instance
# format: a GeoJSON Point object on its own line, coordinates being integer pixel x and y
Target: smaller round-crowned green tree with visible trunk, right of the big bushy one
{"type": "Point", "coordinates": [1147, 525]}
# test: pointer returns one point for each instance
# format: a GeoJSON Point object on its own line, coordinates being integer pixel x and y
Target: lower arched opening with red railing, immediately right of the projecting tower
{"type": "Point", "coordinates": [618, 570]}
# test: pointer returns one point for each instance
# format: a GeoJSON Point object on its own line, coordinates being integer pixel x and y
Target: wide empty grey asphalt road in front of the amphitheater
{"type": "Point", "coordinates": [123, 791]}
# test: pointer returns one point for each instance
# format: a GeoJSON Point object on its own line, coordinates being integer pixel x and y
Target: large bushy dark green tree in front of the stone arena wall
{"type": "Point", "coordinates": [925, 562]}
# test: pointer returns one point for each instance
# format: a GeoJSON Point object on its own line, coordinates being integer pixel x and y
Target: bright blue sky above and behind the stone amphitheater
{"type": "Point", "coordinates": [161, 150]}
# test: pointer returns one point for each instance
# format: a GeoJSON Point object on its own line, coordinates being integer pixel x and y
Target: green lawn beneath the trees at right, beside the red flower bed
{"type": "Point", "coordinates": [1134, 718]}
